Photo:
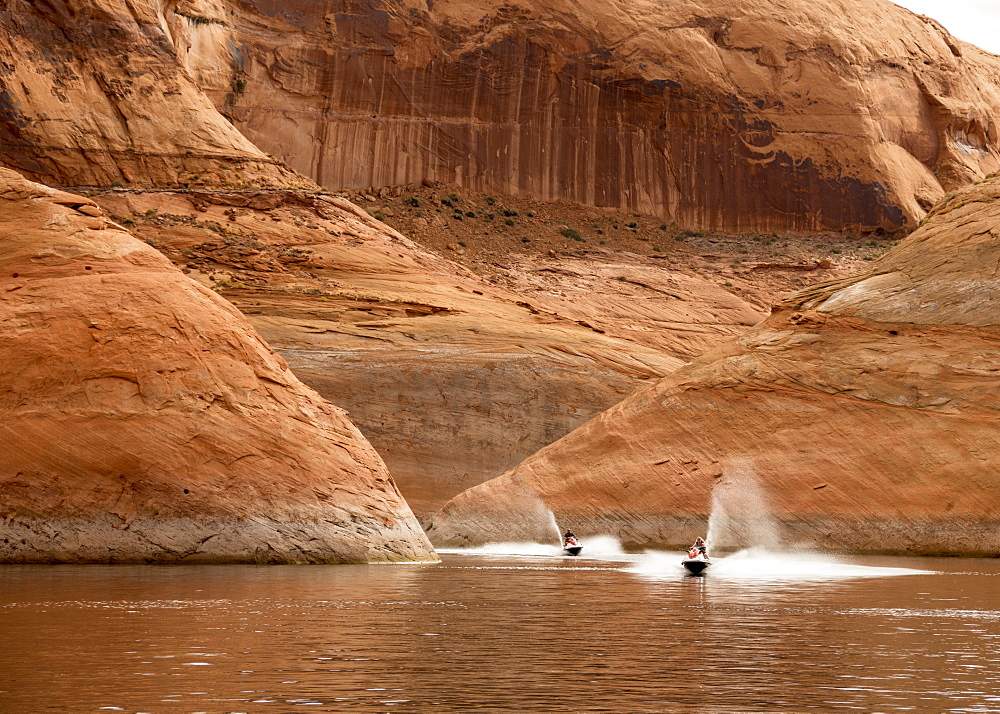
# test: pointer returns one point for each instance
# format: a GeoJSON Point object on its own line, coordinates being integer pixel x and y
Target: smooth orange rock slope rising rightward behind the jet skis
{"type": "Point", "coordinates": [864, 410]}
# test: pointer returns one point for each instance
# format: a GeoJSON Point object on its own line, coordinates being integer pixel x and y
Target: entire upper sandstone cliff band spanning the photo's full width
{"type": "Point", "coordinates": [798, 114]}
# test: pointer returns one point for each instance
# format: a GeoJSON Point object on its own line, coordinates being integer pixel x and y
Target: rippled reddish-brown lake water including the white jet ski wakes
{"type": "Point", "coordinates": [504, 628]}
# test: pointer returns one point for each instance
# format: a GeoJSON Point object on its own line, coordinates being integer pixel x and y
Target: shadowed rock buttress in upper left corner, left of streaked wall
{"type": "Point", "coordinates": [92, 92]}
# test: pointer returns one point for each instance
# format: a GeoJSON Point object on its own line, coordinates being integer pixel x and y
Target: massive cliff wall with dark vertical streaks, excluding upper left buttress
{"type": "Point", "coordinates": [726, 114]}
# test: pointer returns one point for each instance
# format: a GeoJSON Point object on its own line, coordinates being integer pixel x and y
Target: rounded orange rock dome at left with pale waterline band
{"type": "Point", "coordinates": [143, 420]}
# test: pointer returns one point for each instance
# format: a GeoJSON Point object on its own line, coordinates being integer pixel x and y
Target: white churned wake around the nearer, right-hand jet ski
{"type": "Point", "coordinates": [762, 564]}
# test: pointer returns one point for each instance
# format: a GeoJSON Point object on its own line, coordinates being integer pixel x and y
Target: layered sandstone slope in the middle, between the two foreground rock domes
{"type": "Point", "coordinates": [452, 377]}
